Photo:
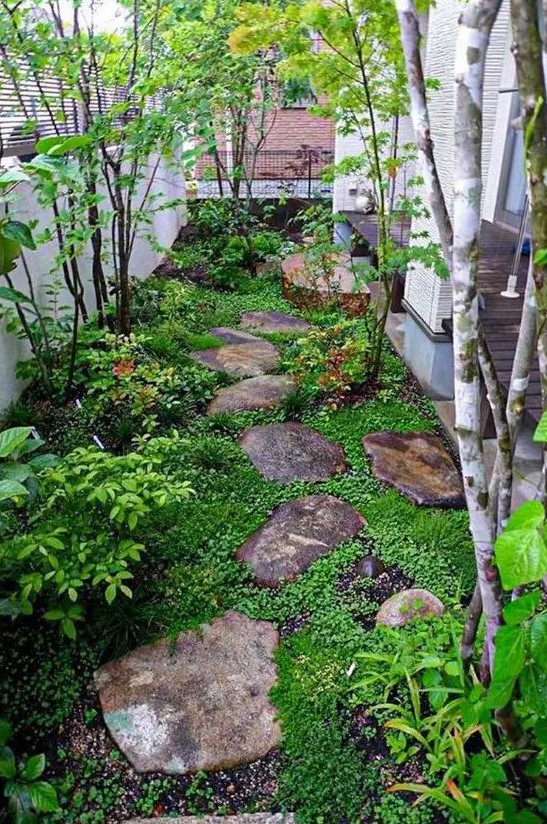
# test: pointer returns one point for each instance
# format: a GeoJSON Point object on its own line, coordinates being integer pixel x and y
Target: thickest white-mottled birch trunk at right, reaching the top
{"type": "Point", "coordinates": [475, 27]}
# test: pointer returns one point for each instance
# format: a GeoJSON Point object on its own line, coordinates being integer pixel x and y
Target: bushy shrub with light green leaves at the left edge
{"type": "Point", "coordinates": [83, 534]}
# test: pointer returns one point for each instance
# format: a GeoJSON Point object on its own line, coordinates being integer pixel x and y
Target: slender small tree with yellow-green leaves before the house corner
{"type": "Point", "coordinates": [359, 75]}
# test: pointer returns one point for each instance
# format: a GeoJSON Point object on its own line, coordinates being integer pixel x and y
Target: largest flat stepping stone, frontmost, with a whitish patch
{"type": "Point", "coordinates": [201, 704]}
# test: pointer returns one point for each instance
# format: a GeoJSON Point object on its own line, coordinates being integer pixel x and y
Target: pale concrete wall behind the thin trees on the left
{"type": "Point", "coordinates": [168, 184]}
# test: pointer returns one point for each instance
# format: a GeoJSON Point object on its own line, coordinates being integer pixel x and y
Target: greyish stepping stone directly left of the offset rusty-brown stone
{"type": "Point", "coordinates": [292, 452]}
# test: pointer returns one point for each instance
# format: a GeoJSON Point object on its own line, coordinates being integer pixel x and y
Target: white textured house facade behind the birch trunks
{"type": "Point", "coordinates": [428, 299]}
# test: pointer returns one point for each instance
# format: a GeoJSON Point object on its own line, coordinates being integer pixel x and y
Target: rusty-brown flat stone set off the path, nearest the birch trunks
{"type": "Point", "coordinates": [418, 466]}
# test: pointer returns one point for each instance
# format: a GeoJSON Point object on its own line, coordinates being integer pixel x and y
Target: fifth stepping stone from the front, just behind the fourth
{"type": "Point", "coordinates": [242, 360]}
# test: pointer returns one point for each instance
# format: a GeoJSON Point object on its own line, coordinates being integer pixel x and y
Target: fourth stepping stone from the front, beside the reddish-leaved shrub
{"type": "Point", "coordinates": [263, 392]}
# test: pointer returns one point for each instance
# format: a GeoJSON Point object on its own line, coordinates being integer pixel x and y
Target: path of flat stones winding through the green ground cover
{"type": "Point", "coordinates": [202, 703]}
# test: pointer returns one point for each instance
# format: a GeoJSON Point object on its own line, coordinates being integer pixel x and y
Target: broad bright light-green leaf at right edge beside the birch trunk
{"type": "Point", "coordinates": [521, 556]}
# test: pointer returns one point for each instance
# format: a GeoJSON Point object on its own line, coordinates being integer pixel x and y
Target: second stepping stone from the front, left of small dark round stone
{"type": "Point", "coordinates": [297, 534]}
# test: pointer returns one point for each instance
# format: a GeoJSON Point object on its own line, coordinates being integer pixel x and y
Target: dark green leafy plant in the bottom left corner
{"type": "Point", "coordinates": [27, 796]}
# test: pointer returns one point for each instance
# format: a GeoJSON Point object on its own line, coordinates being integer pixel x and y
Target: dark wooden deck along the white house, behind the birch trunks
{"type": "Point", "coordinates": [500, 316]}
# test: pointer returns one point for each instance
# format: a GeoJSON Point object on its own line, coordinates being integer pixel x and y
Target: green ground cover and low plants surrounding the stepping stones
{"type": "Point", "coordinates": [121, 545]}
